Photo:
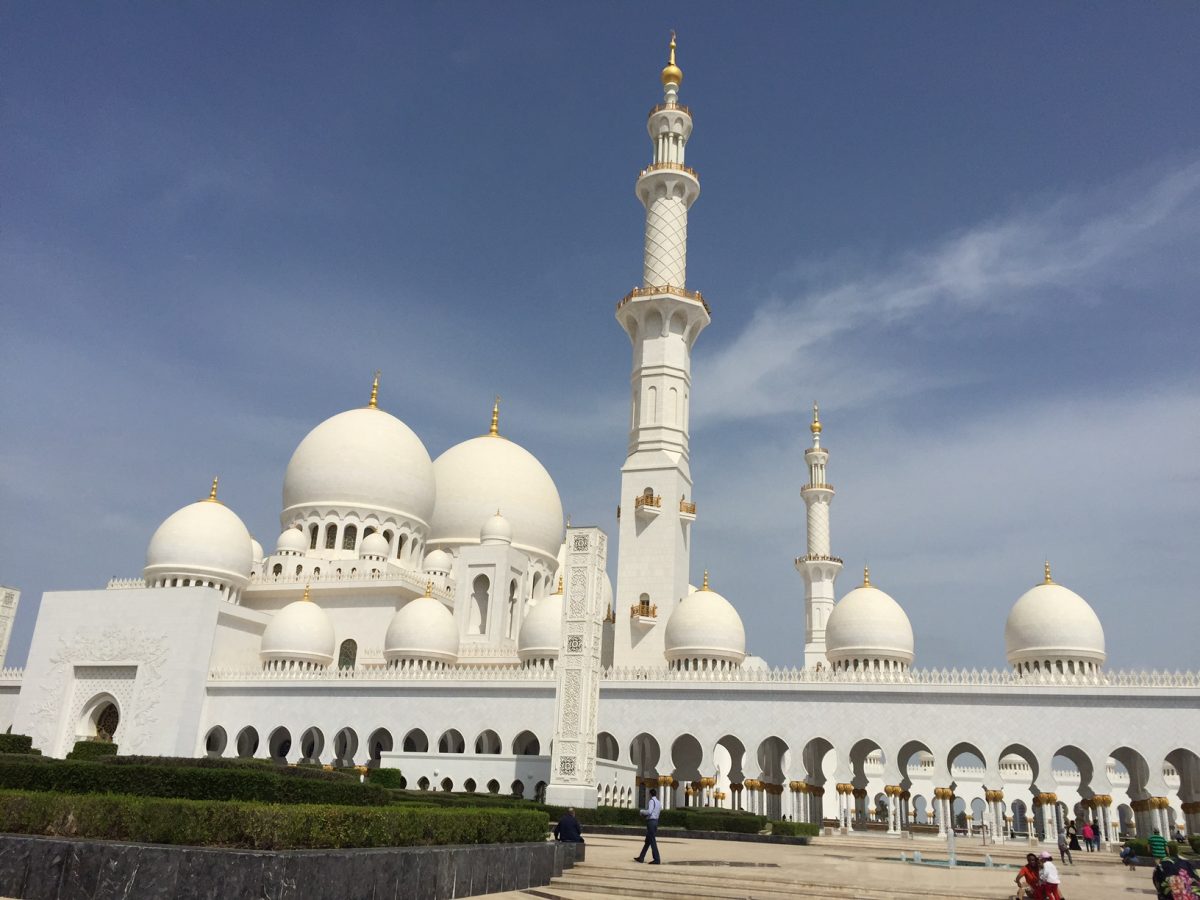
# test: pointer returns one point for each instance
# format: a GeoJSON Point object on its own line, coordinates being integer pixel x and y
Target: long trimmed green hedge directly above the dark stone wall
{"type": "Point", "coordinates": [260, 826]}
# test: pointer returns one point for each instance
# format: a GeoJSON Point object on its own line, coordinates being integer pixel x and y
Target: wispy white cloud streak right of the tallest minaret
{"type": "Point", "coordinates": [1070, 249]}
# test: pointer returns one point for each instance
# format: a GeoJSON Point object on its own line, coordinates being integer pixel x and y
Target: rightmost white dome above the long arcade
{"type": "Point", "coordinates": [1051, 623]}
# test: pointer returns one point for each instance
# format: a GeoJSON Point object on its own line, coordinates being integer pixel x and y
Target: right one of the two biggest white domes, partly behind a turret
{"type": "Point", "coordinates": [490, 473]}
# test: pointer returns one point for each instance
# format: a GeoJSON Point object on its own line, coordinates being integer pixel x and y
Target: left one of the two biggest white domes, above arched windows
{"type": "Point", "coordinates": [364, 459]}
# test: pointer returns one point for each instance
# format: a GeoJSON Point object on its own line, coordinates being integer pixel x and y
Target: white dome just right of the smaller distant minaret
{"type": "Point", "coordinates": [868, 625]}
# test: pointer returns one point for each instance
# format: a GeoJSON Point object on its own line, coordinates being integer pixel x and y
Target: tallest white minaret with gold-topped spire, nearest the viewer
{"type": "Point", "coordinates": [663, 320]}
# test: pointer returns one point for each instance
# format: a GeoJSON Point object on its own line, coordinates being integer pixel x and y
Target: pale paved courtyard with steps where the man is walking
{"type": "Point", "coordinates": [866, 868]}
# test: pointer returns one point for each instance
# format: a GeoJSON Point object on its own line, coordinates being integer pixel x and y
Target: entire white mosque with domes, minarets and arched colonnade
{"type": "Point", "coordinates": [412, 613]}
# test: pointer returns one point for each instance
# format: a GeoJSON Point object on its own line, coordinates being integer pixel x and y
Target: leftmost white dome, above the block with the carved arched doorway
{"type": "Point", "coordinates": [203, 541]}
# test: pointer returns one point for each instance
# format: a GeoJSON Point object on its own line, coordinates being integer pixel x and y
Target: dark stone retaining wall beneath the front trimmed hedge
{"type": "Point", "coordinates": [68, 869]}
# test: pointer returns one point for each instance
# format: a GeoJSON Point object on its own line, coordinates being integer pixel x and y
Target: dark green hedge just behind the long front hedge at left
{"type": "Point", "coordinates": [191, 783]}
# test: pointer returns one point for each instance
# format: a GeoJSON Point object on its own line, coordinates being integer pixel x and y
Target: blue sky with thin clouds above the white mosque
{"type": "Point", "coordinates": [971, 231]}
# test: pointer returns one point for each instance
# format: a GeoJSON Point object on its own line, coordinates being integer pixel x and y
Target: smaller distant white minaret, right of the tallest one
{"type": "Point", "coordinates": [819, 568]}
